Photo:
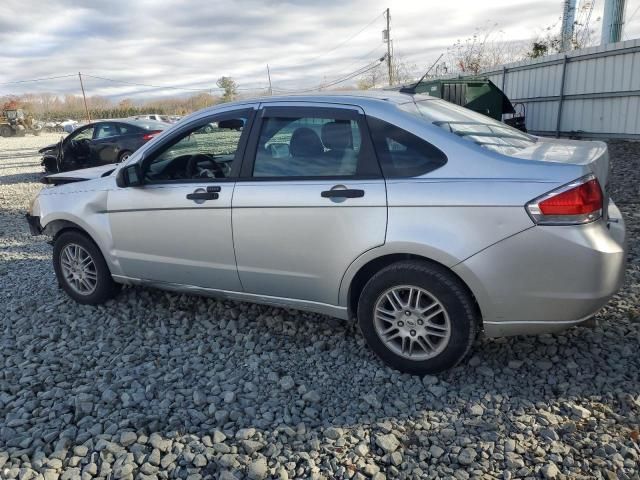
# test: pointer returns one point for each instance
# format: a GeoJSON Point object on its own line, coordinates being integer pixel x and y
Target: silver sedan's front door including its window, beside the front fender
{"type": "Point", "coordinates": [176, 227]}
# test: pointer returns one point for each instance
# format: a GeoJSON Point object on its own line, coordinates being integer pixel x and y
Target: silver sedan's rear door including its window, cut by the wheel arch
{"type": "Point", "coordinates": [309, 201]}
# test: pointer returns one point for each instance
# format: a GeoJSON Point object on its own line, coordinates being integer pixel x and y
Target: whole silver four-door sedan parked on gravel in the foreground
{"type": "Point", "coordinates": [424, 220]}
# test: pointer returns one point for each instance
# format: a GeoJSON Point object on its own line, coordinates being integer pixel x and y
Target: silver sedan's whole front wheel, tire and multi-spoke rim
{"type": "Point", "coordinates": [81, 269]}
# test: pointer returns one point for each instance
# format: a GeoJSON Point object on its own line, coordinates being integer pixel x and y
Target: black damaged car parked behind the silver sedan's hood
{"type": "Point", "coordinates": [99, 143]}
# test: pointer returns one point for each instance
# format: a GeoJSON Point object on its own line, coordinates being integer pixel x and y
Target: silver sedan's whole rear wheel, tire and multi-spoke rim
{"type": "Point", "coordinates": [417, 317]}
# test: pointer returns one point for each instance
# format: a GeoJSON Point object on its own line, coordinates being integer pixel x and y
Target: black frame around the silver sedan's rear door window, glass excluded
{"type": "Point", "coordinates": [336, 112]}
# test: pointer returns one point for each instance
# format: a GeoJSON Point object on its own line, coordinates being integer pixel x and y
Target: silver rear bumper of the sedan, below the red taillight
{"type": "Point", "coordinates": [547, 279]}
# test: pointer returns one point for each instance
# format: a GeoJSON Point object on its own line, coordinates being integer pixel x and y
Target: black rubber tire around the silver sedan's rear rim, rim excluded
{"type": "Point", "coordinates": [447, 289]}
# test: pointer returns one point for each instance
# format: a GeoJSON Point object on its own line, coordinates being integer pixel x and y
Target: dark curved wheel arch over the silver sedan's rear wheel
{"type": "Point", "coordinates": [371, 266]}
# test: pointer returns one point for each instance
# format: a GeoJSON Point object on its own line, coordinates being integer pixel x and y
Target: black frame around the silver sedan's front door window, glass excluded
{"type": "Point", "coordinates": [158, 149]}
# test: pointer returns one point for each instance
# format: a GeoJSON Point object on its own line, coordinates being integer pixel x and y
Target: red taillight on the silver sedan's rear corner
{"type": "Point", "coordinates": [575, 203]}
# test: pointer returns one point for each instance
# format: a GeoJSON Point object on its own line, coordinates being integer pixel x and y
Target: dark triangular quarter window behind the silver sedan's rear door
{"type": "Point", "coordinates": [403, 154]}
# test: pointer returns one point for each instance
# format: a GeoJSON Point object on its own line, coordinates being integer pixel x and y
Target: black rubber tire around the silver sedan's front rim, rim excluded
{"type": "Point", "coordinates": [105, 287]}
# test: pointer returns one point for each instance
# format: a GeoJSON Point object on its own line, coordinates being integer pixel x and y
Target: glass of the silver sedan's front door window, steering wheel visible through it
{"type": "Point", "coordinates": [206, 152]}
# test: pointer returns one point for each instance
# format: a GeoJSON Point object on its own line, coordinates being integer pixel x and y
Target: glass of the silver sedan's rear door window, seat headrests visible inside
{"type": "Point", "coordinates": [310, 146]}
